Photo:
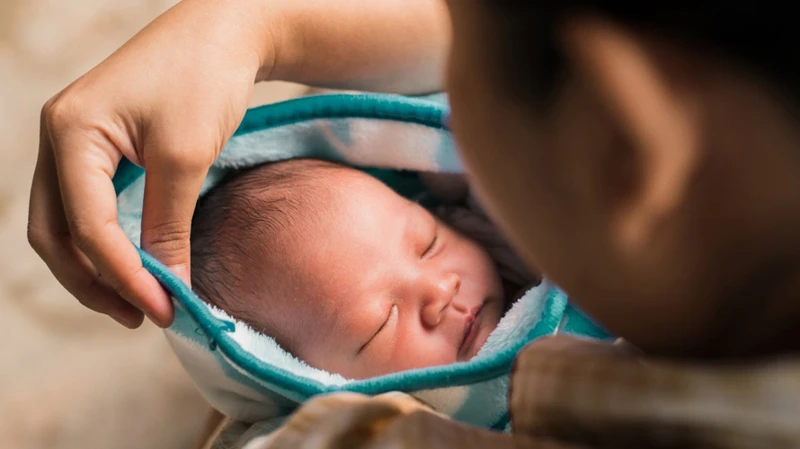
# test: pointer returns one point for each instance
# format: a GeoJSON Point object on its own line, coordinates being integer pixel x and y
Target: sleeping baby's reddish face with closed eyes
{"type": "Point", "coordinates": [374, 284]}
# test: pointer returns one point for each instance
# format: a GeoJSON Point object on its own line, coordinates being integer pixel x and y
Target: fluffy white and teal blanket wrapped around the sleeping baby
{"type": "Point", "coordinates": [247, 375]}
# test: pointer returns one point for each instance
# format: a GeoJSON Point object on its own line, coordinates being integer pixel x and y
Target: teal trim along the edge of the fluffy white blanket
{"type": "Point", "coordinates": [214, 333]}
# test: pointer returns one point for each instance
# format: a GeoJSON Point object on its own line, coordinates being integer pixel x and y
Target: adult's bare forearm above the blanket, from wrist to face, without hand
{"type": "Point", "coordinates": [379, 45]}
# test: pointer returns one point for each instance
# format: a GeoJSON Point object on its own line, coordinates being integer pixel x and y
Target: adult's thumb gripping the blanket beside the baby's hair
{"type": "Point", "coordinates": [170, 195]}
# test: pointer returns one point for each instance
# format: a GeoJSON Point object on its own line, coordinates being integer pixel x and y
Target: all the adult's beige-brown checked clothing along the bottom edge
{"type": "Point", "coordinates": [568, 393]}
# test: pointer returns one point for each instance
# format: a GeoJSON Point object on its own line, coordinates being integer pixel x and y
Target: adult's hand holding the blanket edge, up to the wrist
{"type": "Point", "coordinates": [168, 100]}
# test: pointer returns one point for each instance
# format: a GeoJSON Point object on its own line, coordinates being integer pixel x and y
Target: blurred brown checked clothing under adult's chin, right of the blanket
{"type": "Point", "coordinates": [589, 392]}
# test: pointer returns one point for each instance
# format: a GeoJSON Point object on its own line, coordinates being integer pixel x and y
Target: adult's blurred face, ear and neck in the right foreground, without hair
{"type": "Point", "coordinates": [638, 190]}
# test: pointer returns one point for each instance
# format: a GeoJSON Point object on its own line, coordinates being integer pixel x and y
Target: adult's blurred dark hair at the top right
{"type": "Point", "coordinates": [759, 36]}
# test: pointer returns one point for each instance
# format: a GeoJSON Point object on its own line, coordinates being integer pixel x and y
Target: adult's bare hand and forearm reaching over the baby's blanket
{"type": "Point", "coordinates": [144, 103]}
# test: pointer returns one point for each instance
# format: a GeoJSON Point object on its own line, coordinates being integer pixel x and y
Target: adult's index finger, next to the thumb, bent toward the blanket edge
{"type": "Point", "coordinates": [86, 163]}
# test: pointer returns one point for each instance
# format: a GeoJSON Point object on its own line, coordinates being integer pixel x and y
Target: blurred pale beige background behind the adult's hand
{"type": "Point", "coordinates": [70, 378]}
